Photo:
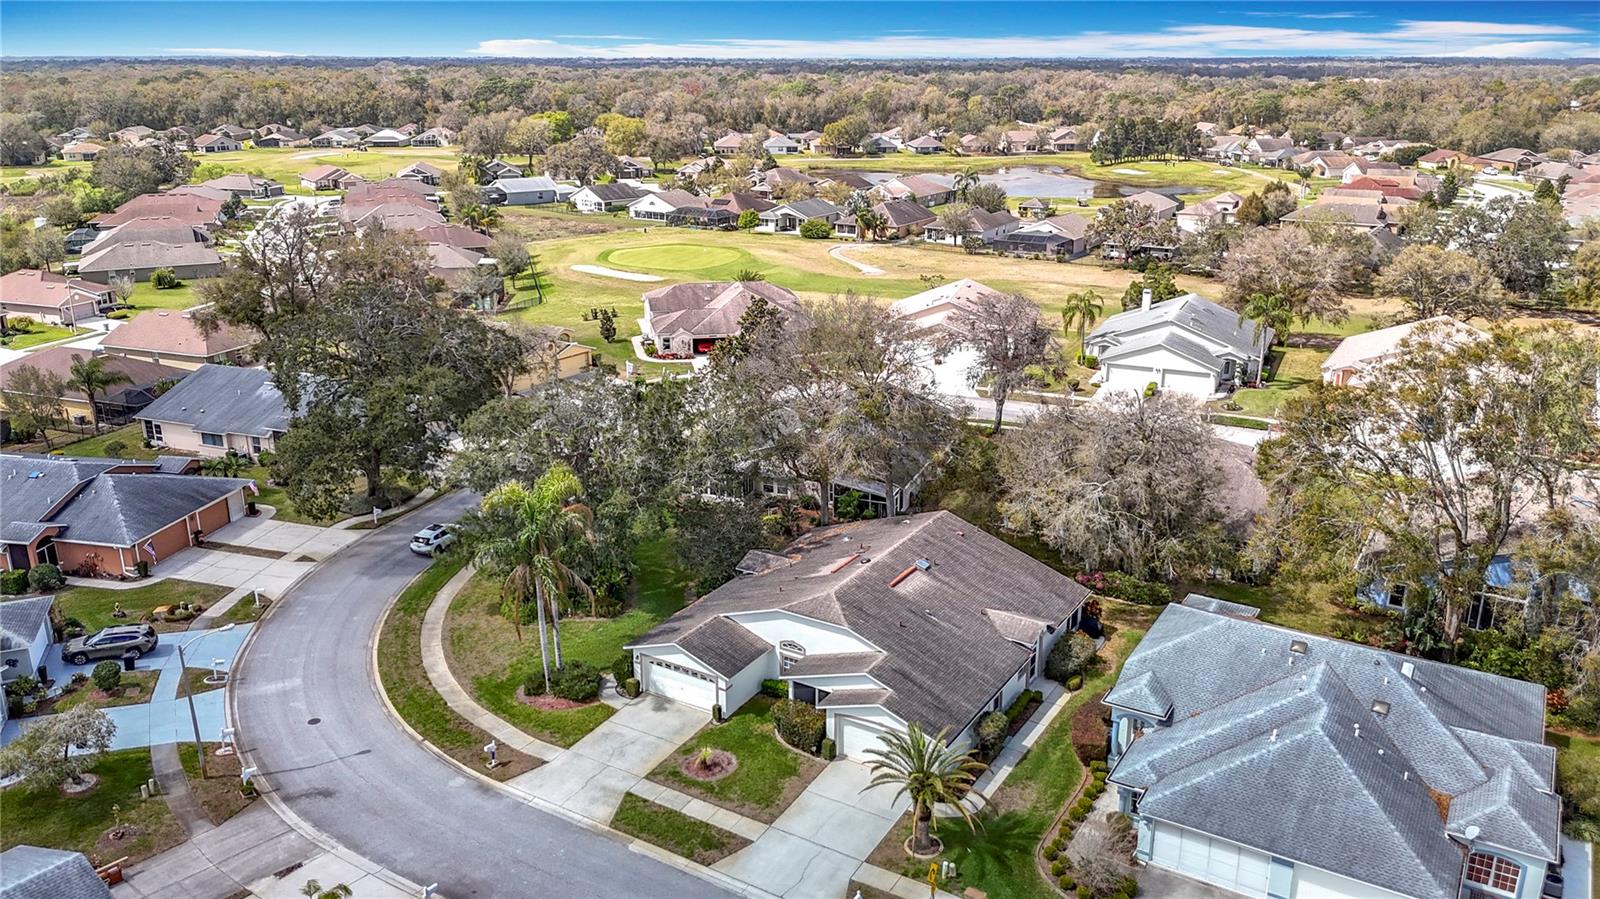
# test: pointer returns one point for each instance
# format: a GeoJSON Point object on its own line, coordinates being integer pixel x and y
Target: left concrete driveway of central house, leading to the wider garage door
{"type": "Point", "coordinates": [596, 773]}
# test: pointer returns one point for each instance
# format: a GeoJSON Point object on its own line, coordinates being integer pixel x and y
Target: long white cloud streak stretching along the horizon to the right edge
{"type": "Point", "coordinates": [1409, 39]}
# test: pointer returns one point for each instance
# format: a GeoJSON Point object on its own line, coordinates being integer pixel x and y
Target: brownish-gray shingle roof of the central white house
{"type": "Point", "coordinates": [943, 657]}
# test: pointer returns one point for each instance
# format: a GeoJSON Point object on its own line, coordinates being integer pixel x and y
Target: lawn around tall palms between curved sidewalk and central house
{"type": "Point", "coordinates": [489, 658]}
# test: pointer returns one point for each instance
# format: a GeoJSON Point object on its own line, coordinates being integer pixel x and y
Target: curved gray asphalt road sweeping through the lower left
{"type": "Point", "coordinates": [359, 778]}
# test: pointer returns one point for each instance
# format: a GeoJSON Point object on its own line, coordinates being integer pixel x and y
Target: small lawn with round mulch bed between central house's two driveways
{"type": "Point", "coordinates": [769, 777]}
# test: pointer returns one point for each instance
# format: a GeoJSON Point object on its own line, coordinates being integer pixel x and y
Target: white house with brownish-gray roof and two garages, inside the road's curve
{"type": "Point", "coordinates": [919, 620]}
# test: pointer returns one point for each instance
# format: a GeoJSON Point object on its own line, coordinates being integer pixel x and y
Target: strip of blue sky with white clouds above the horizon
{"type": "Point", "coordinates": [814, 30]}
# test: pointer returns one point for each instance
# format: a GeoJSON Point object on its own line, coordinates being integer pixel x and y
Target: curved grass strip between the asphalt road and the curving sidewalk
{"type": "Point", "coordinates": [410, 692]}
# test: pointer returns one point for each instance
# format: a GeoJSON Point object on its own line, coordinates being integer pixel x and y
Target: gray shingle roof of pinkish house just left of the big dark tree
{"type": "Point", "coordinates": [225, 399]}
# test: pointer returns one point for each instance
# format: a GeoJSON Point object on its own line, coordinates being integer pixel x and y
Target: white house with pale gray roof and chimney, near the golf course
{"type": "Point", "coordinates": [1186, 345]}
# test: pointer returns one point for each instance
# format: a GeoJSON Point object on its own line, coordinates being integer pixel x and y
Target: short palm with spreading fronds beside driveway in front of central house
{"type": "Point", "coordinates": [930, 773]}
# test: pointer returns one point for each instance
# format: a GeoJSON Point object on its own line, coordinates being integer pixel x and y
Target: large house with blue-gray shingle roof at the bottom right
{"type": "Point", "coordinates": [1426, 780]}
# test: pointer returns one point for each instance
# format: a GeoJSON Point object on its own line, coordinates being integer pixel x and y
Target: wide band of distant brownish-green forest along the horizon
{"type": "Point", "coordinates": [1470, 106]}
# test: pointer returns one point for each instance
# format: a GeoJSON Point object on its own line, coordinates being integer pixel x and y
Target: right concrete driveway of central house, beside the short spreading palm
{"type": "Point", "coordinates": [818, 842]}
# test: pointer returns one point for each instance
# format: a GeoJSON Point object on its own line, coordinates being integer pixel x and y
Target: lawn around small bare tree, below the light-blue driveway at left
{"type": "Point", "coordinates": [44, 817]}
